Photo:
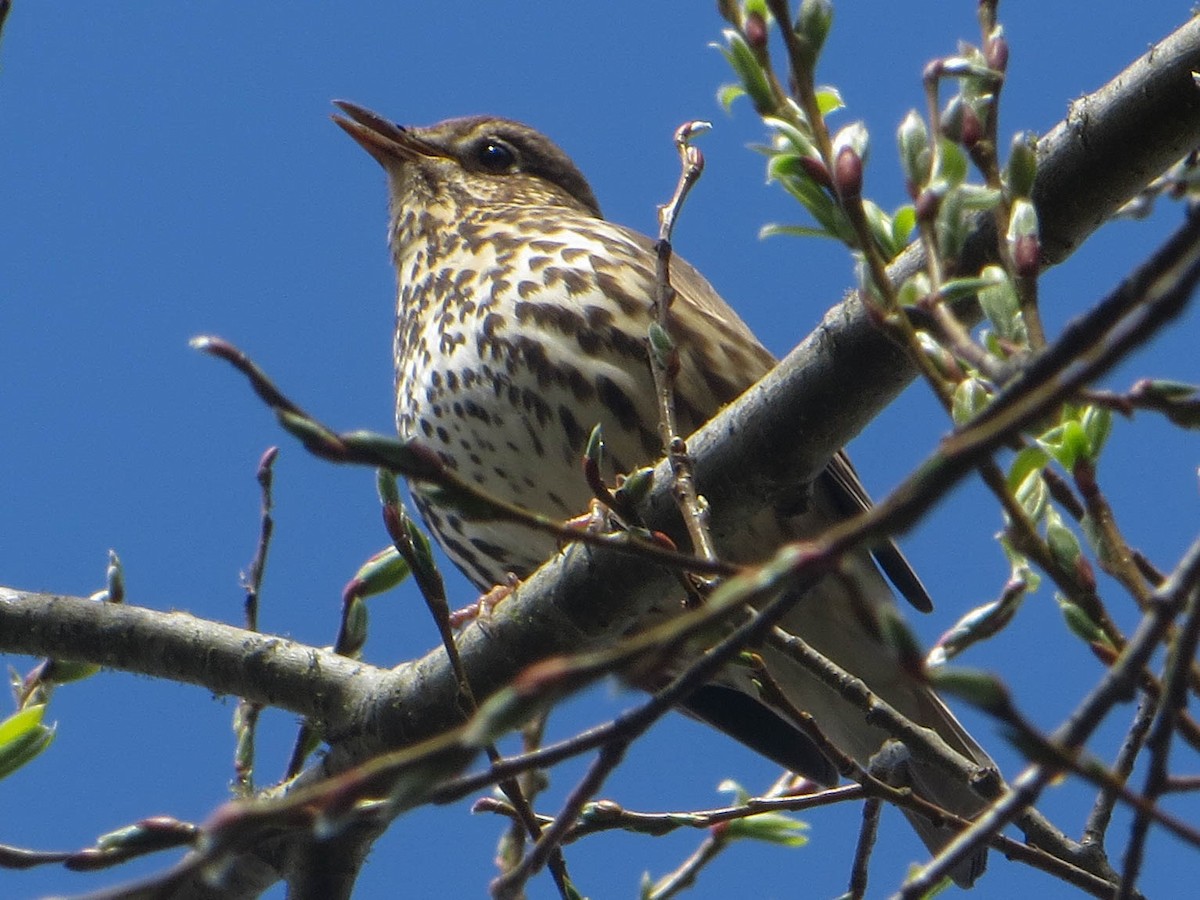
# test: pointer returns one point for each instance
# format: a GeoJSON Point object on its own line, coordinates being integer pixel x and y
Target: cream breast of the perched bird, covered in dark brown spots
{"type": "Point", "coordinates": [515, 357]}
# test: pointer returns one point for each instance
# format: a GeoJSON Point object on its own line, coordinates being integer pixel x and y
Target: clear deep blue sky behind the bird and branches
{"type": "Point", "coordinates": [170, 170]}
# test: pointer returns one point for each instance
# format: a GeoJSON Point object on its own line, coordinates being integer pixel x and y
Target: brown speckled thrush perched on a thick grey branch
{"type": "Point", "coordinates": [521, 323]}
